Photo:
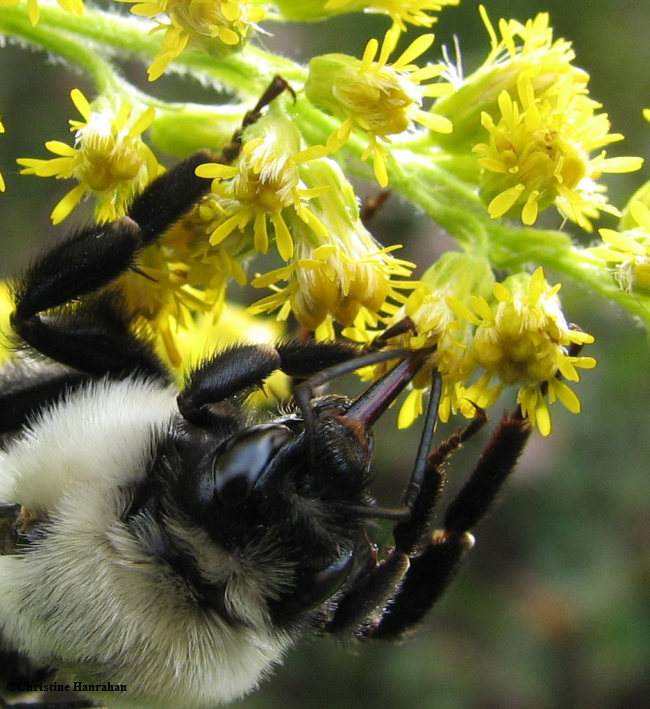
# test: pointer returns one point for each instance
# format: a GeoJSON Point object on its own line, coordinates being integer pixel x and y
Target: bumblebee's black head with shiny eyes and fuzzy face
{"type": "Point", "coordinates": [272, 508]}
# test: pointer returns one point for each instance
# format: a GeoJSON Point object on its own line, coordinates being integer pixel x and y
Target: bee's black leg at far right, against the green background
{"type": "Point", "coordinates": [431, 571]}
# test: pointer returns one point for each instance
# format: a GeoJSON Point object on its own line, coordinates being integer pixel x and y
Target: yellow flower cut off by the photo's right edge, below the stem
{"type": "Point", "coordinates": [629, 249]}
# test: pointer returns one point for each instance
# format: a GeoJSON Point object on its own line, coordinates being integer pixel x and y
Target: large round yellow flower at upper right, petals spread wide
{"type": "Point", "coordinates": [539, 153]}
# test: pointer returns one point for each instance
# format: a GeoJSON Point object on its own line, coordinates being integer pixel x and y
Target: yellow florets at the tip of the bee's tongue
{"type": "Point", "coordinates": [485, 336]}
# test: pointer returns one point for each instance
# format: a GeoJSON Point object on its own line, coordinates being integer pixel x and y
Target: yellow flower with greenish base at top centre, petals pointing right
{"type": "Point", "coordinates": [376, 97]}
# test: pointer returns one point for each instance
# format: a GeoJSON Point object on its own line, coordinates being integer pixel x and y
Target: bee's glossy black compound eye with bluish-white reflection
{"type": "Point", "coordinates": [240, 462]}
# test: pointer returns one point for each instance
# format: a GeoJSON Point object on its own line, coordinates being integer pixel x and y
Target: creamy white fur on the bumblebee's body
{"type": "Point", "coordinates": [95, 581]}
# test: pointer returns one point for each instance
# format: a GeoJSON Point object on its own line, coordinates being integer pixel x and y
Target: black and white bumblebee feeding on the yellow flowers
{"type": "Point", "coordinates": [164, 541]}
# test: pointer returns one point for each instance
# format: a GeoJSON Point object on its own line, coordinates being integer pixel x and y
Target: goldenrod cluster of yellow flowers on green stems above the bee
{"type": "Point", "coordinates": [516, 136]}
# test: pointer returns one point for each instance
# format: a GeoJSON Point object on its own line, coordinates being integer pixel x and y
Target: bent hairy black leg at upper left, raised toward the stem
{"type": "Point", "coordinates": [95, 337]}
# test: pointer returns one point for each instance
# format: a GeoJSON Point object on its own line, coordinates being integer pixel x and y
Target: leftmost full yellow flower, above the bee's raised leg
{"type": "Point", "coordinates": [108, 159]}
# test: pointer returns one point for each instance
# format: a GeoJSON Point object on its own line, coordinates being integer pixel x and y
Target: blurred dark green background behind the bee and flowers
{"type": "Point", "coordinates": [552, 608]}
